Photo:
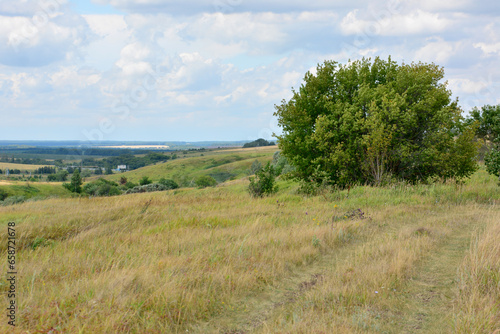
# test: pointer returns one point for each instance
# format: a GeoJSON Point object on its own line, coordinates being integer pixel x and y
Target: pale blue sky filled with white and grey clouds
{"type": "Point", "coordinates": [194, 70]}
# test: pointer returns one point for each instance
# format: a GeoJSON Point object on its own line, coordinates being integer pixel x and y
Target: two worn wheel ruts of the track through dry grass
{"type": "Point", "coordinates": [426, 304]}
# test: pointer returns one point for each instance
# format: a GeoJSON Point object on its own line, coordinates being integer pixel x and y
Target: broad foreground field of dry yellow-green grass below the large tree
{"type": "Point", "coordinates": [396, 259]}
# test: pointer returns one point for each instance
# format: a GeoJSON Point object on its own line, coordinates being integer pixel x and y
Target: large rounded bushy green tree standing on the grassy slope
{"type": "Point", "coordinates": [368, 120]}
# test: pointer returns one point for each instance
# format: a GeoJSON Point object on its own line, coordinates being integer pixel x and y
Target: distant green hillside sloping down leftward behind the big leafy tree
{"type": "Point", "coordinates": [222, 165]}
